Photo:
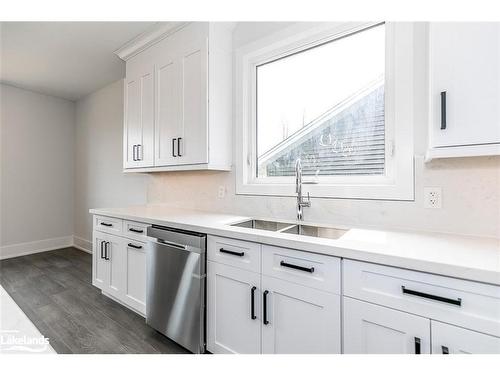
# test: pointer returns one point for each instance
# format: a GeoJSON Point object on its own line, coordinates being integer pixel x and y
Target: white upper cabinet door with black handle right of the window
{"type": "Point", "coordinates": [465, 63]}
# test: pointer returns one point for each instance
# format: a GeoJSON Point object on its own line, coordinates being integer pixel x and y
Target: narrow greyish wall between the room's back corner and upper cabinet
{"type": "Point", "coordinates": [100, 181]}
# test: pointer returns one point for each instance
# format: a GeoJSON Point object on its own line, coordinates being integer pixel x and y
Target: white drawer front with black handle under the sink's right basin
{"type": "Point", "coordinates": [300, 267]}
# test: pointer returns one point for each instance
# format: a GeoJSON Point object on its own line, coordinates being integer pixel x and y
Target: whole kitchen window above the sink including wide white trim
{"type": "Point", "coordinates": [327, 95]}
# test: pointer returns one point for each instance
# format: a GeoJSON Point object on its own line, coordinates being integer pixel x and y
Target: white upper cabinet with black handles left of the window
{"type": "Point", "coordinates": [185, 99]}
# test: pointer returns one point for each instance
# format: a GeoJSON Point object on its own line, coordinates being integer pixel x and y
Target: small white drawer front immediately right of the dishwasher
{"type": "Point", "coordinates": [236, 253]}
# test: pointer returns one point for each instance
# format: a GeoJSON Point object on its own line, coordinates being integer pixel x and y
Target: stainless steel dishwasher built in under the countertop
{"type": "Point", "coordinates": [176, 285]}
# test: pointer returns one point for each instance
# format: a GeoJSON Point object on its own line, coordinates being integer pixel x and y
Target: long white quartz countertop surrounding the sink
{"type": "Point", "coordinates": [466, 257]}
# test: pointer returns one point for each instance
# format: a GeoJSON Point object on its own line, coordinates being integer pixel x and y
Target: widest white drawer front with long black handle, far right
{"type": "Point", "coordinates": [464, 303]}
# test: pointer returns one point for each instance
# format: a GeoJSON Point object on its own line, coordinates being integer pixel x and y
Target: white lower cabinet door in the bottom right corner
{"type": "Point", "coordinates": [448, 339]}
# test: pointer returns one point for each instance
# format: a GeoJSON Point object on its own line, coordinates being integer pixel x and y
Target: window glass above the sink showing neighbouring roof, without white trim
{"type": "Point", "coordinates": [324, 105]}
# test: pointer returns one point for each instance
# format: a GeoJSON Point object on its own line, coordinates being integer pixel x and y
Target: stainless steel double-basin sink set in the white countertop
{"type": "Point", "coordinates": [300, 229]}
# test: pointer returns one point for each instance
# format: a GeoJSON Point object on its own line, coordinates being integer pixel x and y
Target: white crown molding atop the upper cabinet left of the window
{"type": "Point", "coordinates": [159, 31]}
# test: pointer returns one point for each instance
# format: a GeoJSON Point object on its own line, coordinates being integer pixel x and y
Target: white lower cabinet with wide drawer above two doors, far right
{"type": "Point", "coordinates": [395, 310]}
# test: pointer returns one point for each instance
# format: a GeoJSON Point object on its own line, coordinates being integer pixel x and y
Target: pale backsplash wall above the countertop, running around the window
{"type": "Point", "coordinates": [471, 186]}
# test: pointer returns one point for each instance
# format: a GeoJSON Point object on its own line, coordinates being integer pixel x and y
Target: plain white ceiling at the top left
{"type": "Point", "coordinates": [64, 59]}
